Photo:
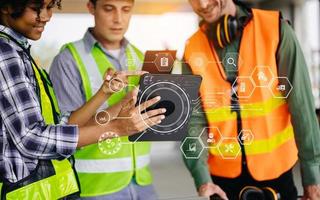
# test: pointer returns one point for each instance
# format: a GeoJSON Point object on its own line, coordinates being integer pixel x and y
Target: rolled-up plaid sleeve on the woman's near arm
{"type": "Point", "coordinates": [21, 114]}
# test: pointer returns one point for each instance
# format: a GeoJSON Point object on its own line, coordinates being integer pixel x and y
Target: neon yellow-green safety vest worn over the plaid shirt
{"type": "Point", "coordinates": [63, 183]}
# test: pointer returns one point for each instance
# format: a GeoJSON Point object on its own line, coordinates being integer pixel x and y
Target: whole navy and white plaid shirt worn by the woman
{"type": "Point", "coordinates": [24, 136]}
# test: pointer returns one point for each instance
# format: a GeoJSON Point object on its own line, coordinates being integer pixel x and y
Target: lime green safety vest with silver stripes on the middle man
{"type": "Point", "coordinates": [110, 173]}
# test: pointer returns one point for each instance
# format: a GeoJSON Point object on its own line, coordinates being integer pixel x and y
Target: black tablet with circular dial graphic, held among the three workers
{"type": "Point", "coordinates": [177, 94]}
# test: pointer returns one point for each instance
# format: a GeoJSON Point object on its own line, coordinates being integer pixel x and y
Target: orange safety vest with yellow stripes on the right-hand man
{"type": "Point", "coordinates": [265, 116]}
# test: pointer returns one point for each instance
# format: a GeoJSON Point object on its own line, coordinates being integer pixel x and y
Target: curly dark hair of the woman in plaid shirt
{"type": "Point", "coordinates": [20, 5]}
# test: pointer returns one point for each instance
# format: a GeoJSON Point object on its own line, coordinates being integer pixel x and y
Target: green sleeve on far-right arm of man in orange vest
{"type": "Point", "coordinates": [301, 105]}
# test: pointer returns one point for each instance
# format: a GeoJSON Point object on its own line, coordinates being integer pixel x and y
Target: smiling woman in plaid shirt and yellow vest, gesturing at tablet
{"type": "Point", "coordinates": [35, 140]}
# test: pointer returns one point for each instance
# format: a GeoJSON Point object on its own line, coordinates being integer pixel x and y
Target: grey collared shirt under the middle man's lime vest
{"type": "Point", "coordinates": [66, 78]}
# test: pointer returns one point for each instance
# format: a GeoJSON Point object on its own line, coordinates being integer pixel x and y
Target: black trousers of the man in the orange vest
{"type": "Point", "coordinates": [232, 187]}
